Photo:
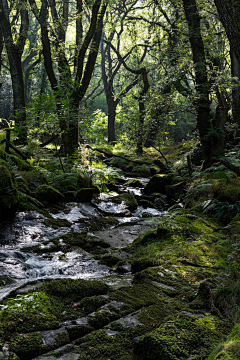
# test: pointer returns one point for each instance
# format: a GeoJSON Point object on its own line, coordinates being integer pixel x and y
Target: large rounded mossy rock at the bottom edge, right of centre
{"type": "Point", "coordinates": [179, 338]}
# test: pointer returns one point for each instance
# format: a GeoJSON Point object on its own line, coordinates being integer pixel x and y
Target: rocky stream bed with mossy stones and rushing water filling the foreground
{"type": "Point", "coordinates": [111, 280]}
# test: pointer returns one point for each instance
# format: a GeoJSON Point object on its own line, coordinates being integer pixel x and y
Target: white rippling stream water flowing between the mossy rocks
{"type": "Point", "coordinates": [18, 267]}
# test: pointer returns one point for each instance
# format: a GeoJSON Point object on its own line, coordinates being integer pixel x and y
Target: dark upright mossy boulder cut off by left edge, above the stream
{"type": "Point", "coordinates": [9, 198]}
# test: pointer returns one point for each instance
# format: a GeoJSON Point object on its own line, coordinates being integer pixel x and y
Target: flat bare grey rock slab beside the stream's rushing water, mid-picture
{"type": "Point", "coordinates": [122, 236]}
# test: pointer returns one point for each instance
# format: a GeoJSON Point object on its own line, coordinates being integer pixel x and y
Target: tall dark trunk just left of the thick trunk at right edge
{"type": "Point", "coordinates": [202, 86]}
